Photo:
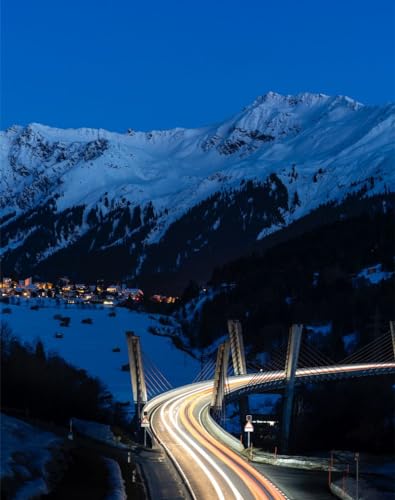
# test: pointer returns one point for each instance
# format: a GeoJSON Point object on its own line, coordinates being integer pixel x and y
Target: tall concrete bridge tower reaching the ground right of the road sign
{"type": "Point", "coordinates": [294, 341]}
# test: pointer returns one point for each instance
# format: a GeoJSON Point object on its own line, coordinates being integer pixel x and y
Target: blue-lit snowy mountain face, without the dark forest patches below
{"type": "Point", "coordinates": [320, 148]}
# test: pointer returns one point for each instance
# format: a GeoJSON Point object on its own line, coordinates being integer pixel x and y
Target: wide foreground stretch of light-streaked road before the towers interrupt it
{"type": "Point", "coordinates": [212, 470]}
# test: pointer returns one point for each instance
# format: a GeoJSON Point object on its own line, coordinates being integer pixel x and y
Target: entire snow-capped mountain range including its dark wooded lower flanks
{"type": "Point", "coordinates": [98, 203]}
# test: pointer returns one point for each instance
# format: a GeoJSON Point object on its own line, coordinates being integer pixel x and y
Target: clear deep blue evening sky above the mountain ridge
{"type": "Point", "coordinates": [163, 63]}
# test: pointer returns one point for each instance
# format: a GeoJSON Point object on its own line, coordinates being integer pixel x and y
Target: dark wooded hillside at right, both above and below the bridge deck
{"type": "Point", "coordinates": [313, 279]}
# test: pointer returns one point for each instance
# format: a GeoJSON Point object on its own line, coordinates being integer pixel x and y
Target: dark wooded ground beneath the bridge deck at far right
{"type": "Point", "coordinates": [352, 414]}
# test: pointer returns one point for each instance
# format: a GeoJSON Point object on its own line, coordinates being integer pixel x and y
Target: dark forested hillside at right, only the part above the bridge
{"type": "Point", "coordinates": [309, 279]}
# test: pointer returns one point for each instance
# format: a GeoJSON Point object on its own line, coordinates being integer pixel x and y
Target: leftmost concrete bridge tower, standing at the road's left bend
{"type": "Point", "coordinates": [136, 372]}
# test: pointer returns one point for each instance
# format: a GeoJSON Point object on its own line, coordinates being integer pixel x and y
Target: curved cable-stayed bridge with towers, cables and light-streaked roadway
{"type": "Point", "coordinates": [185, 420]}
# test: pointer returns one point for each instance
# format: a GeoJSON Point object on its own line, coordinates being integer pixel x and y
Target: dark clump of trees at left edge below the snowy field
{"type": "Point", "coordinates": [45, 386]}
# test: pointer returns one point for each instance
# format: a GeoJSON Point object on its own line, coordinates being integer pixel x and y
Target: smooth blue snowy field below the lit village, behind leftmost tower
{"type": "Point", "coordinates": [90, 346]}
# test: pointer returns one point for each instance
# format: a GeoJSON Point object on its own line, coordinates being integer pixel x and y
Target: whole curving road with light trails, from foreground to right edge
{"type": "Point", "coordinates": [210, 469]}
